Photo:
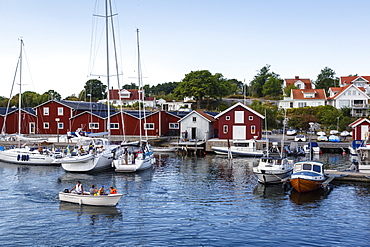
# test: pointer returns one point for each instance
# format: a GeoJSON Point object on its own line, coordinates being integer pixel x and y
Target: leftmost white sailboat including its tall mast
{"type": "Point", "coordinates": [23, 154]}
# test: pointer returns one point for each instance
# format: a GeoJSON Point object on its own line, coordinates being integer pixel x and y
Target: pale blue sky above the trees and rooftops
{"type": "Point", "coordinates": [233, 37]}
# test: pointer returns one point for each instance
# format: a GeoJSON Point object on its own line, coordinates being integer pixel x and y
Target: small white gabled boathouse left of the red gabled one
{"type": "Point", "coordinates": [197, 125]}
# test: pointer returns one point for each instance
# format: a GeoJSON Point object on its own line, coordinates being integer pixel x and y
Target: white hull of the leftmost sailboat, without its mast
{"type": "Point", "coordinates": [22, 156]}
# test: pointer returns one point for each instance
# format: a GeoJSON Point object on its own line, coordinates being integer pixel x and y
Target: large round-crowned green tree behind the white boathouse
{"type": "Point", "coordinates": [202, 84]}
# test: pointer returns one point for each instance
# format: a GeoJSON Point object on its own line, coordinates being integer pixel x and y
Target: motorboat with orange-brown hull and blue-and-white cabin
{"type": "Point", "coordinates": [308, 176]}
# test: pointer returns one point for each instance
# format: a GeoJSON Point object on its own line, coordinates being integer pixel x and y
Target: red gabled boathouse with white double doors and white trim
{"type": "Point", "coordinates": [239, 122]}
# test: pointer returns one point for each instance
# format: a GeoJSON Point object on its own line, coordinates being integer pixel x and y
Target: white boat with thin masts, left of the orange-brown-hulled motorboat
{"type": "Point", "coordinates": [273, 167]}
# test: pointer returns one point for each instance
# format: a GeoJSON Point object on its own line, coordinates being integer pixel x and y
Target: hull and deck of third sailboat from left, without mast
{"type": "Point", "coordinates": [134, 158]}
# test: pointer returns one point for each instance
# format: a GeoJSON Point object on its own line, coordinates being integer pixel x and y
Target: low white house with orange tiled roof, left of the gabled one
{"type": "Point", "coordinates": [304, 97]}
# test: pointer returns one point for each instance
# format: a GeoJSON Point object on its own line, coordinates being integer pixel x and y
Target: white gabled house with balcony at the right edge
{"type": "Point", "coordinates": [352, 97]}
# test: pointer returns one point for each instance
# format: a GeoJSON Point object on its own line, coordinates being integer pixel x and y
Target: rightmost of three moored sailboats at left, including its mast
{"type": "Point", "coordinates": [131, 157]}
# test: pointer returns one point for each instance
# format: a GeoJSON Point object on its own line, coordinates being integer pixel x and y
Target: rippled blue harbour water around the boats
{"type": "Point", "coordinates": [183, 201]}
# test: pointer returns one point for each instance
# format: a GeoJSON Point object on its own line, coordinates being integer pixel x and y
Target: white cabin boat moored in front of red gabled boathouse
{"type": "Point", "coordinates": [241, 148]}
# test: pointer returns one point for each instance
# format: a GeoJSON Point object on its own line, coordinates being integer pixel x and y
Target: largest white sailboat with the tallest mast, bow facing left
{"type": "Point", "coordinates": [93, 153]}
